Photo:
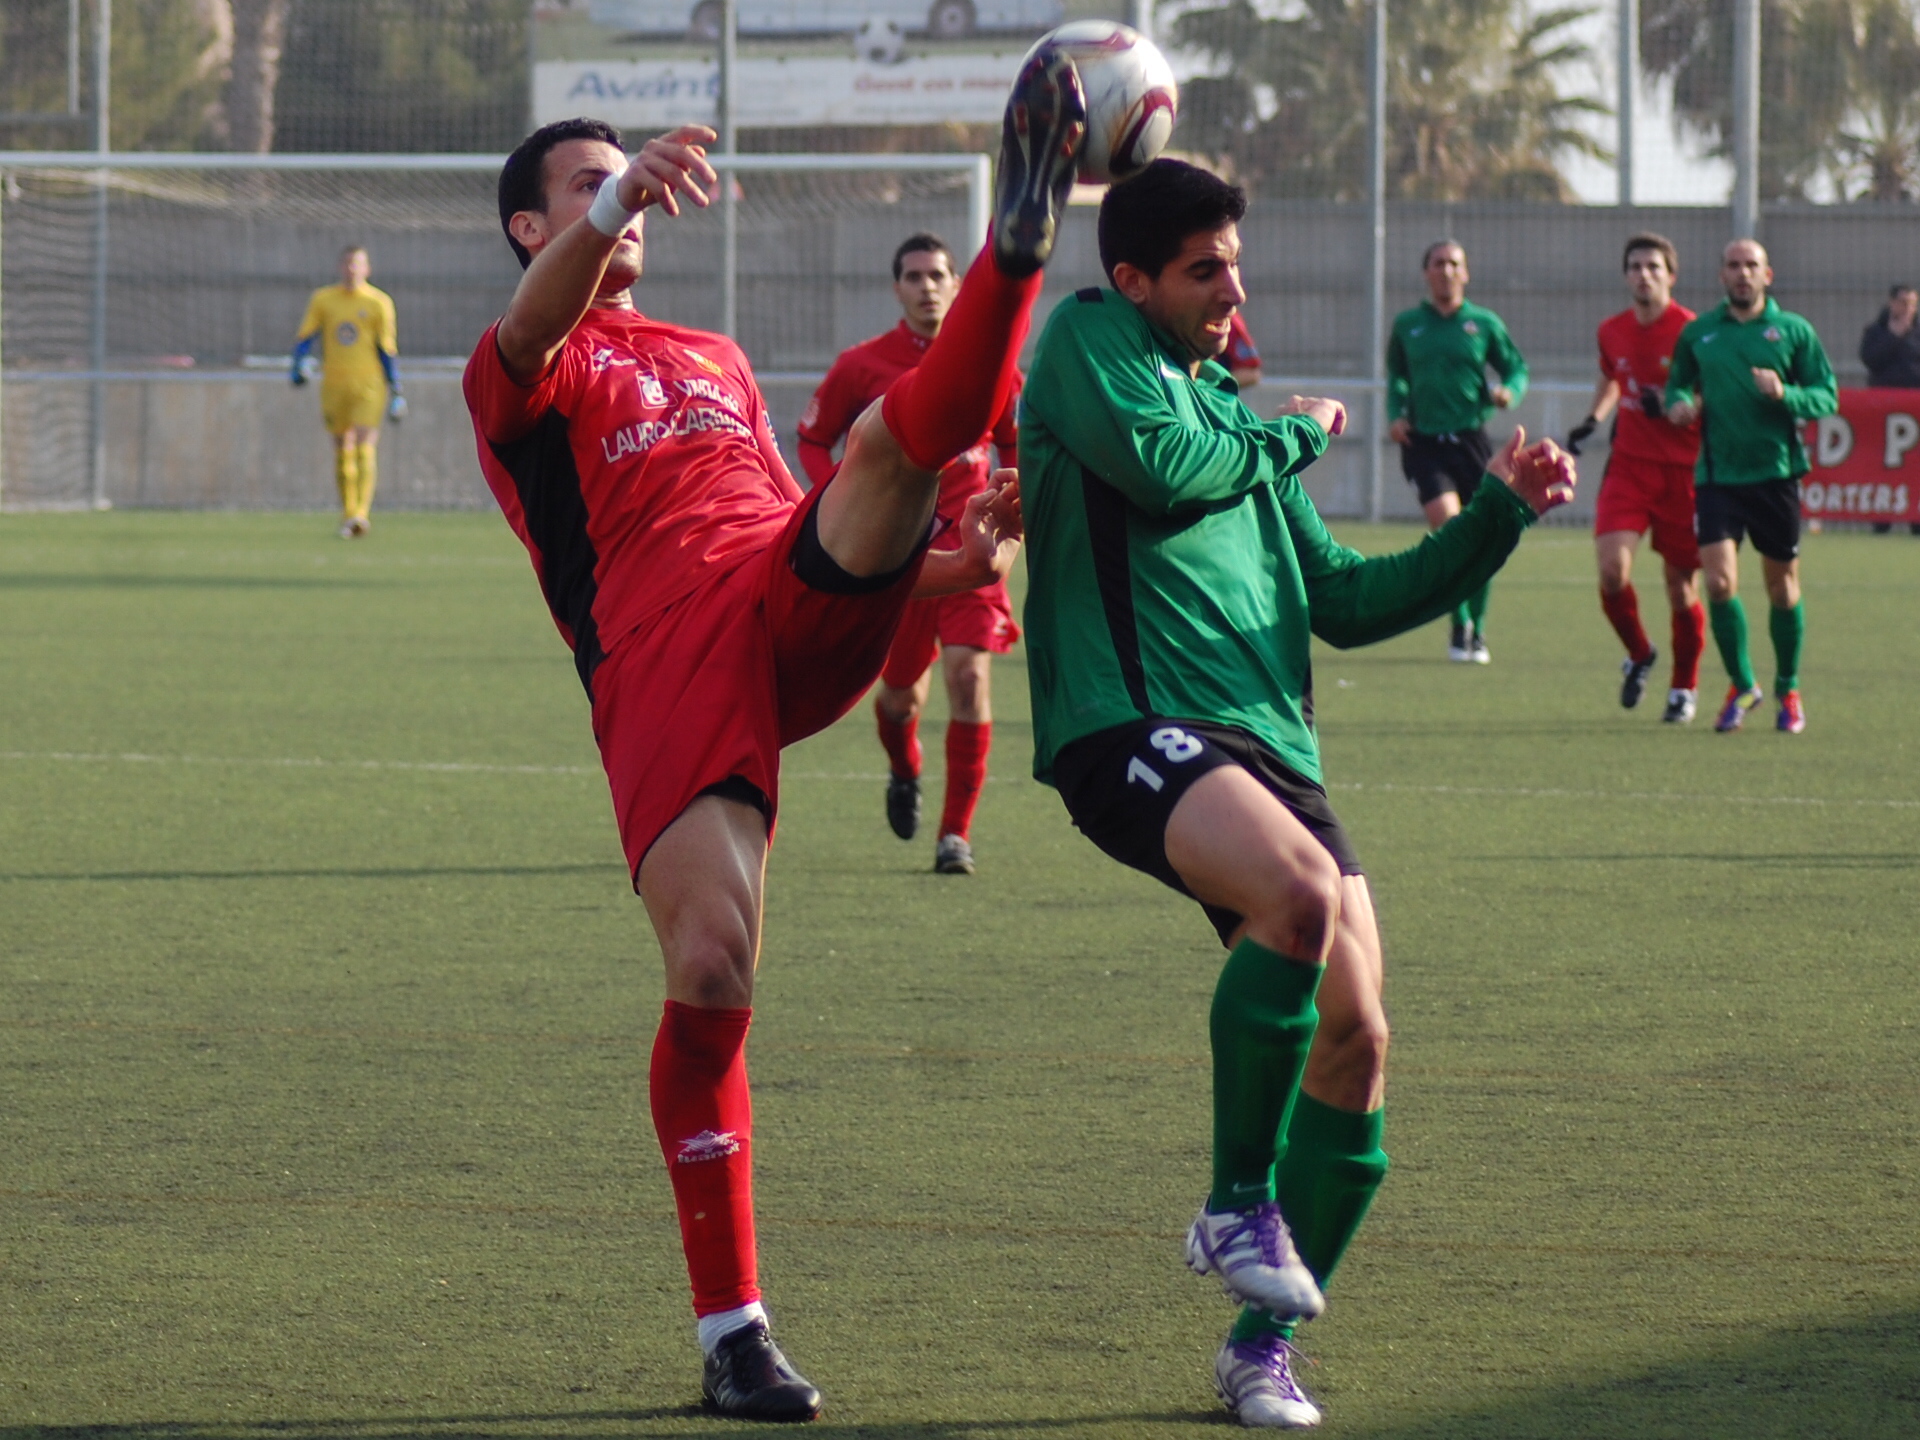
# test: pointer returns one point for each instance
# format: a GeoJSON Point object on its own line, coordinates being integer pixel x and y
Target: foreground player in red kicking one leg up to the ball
{"type": "Point", "coordinates": [713, 612]}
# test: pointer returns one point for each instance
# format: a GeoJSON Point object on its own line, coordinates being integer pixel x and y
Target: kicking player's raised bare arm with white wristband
{"type": "Point", "coordinates": [569, 272]}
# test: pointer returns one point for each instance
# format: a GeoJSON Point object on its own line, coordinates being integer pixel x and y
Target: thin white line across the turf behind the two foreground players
{"type": "Point", "coordinates": [861, 777]}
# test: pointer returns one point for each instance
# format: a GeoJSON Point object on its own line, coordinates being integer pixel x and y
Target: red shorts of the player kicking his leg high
{"type": "Point", "coordinates": [719, 683]}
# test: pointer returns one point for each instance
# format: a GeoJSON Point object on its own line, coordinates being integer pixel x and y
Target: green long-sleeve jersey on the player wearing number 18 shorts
{"type": "Point", "coordinates": [1176, 565]}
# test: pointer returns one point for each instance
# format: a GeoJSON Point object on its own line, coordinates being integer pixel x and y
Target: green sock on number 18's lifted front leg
{"type": "Point", "coordinates": [1262, 1026]}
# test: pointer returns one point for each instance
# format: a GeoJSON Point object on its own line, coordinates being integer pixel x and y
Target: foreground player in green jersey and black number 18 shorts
{"type": "Point", "coordinates": [1176, 573]}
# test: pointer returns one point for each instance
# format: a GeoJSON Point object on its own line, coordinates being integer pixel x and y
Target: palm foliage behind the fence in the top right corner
{"type": "Point", "coordinates": [1840, 84]}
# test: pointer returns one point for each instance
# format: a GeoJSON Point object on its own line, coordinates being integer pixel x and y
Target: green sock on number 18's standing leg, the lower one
{"type": "Point", "coordinates": [1328, 1178]}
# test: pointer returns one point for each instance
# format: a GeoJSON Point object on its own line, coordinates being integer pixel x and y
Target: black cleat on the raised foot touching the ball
{"type": "Point", "coordinates": [1042, 141]}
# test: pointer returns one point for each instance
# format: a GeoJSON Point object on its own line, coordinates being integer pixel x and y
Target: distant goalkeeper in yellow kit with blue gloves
{"type": "Point", "coordinates": [348, 335]}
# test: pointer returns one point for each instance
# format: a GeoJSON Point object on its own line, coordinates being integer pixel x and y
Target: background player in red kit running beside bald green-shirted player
{"type": "Point", "coordinates": [1650, 477]}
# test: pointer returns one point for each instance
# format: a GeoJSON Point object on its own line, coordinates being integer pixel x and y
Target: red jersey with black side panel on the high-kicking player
{"type": "Point", "coordinates": [638, 468]}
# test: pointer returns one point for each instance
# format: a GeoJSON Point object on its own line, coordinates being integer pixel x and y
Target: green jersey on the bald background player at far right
{"type": "Point", "coordinates": [1744, 437]}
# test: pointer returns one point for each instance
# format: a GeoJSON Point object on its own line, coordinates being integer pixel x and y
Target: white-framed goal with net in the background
{"type": "Point", "coordinates": [145, 300]}
